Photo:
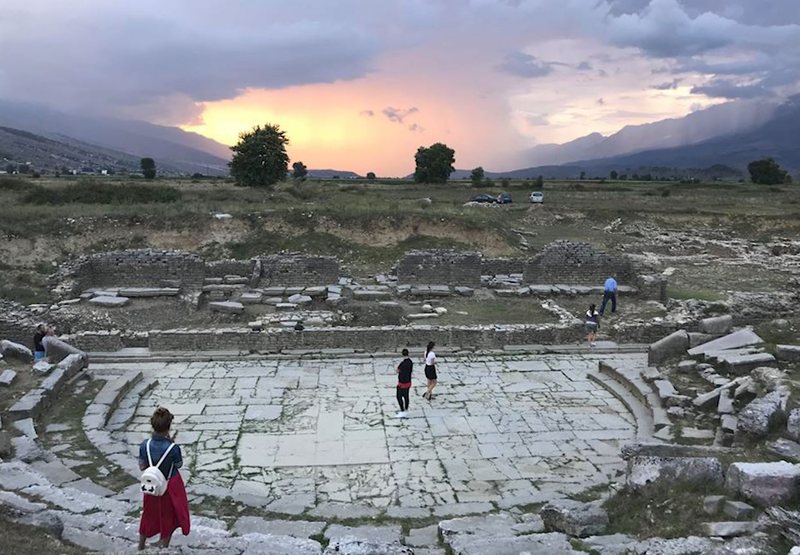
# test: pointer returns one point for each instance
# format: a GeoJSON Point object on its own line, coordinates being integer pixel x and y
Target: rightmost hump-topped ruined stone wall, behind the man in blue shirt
{"type": "Point", "coordinates": [577, 264]}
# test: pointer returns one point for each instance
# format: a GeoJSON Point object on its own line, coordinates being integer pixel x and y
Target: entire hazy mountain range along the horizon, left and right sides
{"type": "Point", "coordinates": [717, 142]}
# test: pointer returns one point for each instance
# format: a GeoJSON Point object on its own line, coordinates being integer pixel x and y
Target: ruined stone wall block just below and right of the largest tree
{"type": "Point", "coordinates": [293, 270]}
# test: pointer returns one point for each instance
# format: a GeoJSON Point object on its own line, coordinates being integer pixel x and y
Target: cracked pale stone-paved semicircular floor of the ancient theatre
{"type": "Point", "coordinates": [305, 433]}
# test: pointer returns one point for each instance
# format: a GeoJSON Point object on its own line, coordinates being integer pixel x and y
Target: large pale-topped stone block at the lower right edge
{"type": "Point", "coordinates": [766, 484]}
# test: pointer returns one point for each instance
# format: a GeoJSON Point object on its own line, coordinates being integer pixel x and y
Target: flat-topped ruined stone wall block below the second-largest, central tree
{"type": "Point", "coordinates": [436, 267]}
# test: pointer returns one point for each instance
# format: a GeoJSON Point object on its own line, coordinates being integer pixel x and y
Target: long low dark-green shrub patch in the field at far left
{"type": "Point", "coordinates": [87, 191]}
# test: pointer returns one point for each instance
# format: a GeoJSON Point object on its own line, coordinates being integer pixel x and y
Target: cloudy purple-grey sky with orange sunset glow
{"type": "Point", "coordinates": [361, 84]}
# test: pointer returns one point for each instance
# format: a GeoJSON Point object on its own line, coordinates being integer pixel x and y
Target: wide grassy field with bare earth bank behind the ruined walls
{"type": "Point", "coordinates": [370, 225]}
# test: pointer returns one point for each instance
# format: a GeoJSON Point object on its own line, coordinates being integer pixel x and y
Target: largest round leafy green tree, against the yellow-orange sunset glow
{"type": "Point", "coordinates": [259, 158]}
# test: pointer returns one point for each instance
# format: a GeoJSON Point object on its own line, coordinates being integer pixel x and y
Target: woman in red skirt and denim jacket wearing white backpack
{"type": "Point", "coordinates": [163, 514]}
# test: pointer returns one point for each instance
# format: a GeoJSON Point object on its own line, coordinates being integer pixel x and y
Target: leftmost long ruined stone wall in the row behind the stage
{"type": "Point", "coordinates": [134, 268]}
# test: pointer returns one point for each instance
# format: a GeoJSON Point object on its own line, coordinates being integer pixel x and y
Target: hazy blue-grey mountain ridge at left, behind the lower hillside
{"type": "Point", "coordinates": [169, 146]}
